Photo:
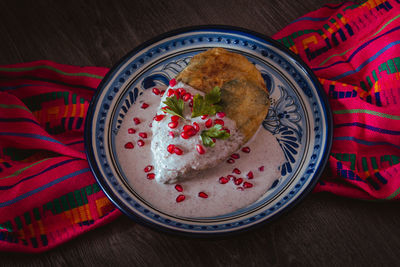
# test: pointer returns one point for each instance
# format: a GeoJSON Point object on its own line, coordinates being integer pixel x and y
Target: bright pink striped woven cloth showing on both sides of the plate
{"type": "Point", "coordinates": [48, 194]}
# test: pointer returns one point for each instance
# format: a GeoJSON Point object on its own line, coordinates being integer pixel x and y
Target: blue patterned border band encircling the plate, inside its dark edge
{"type": "Point", "coordinates": [320, 151]}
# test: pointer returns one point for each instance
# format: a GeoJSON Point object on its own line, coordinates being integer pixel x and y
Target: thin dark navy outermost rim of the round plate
{"type": "Point", "coordinates": [88, 132]}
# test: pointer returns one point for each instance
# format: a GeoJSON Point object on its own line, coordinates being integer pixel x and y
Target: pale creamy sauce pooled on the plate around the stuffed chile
{"type": "Point", "coordinates": [263, 160]}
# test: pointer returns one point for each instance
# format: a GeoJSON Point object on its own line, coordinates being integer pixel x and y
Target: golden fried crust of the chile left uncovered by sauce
{"type": "Point", "coordinates": [244, 96]}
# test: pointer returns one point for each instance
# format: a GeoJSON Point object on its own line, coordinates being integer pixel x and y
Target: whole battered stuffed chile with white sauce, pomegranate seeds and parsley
{"type": "Point", "coordinates": [213, 107]}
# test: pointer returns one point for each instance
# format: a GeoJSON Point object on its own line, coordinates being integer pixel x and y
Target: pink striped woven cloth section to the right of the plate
{"type": "Point", "coordinates": [354, 50]}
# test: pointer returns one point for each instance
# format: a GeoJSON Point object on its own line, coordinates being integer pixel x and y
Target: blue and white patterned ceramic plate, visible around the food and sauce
{"type": "Point", "coordinates": [299, 118]}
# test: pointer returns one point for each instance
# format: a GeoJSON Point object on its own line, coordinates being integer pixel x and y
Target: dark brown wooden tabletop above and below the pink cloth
{"type": "Point", "coordinates": [324, 230]}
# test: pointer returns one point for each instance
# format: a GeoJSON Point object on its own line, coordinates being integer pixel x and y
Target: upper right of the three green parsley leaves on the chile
{"type": "Point", "coordinates": [207, 105]}
